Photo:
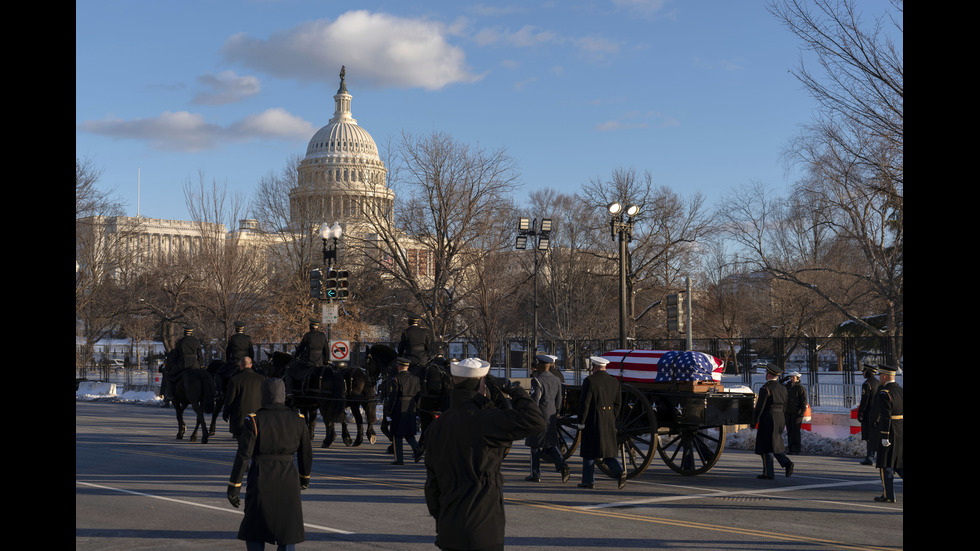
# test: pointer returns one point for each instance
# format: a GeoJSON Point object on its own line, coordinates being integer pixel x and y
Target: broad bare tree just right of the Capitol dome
{"type": "Point", "coordinates": [454, 196]}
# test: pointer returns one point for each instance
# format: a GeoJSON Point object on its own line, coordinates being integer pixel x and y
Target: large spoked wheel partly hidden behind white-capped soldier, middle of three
{"type": "Point", "coordinates": [637, 433]}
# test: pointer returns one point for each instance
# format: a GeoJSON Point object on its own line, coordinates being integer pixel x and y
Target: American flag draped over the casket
{"type": "Point", "coordinates": [662, 366]}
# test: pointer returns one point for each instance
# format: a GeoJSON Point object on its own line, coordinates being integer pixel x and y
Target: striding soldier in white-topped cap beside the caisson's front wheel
{"type": "Point", "coordinates": [546, 392]}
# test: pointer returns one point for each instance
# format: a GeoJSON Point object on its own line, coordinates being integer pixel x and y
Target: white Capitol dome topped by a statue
{"type": "Point", "coordinates": [342, 178]}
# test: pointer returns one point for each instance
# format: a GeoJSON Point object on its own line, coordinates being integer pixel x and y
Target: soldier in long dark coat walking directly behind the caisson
{"type": "Point", "coordinates": [769, 420]}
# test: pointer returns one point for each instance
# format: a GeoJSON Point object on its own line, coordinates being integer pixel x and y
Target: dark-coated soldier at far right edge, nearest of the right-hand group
{"type": "Point", "coordinates": [890, 406]}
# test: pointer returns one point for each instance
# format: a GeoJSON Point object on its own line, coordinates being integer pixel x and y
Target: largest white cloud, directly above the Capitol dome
{"type": "Point", "coordinates": [381, 50]}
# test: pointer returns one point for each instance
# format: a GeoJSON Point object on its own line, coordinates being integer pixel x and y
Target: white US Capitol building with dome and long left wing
{"type": "Point", "coordinates": [341, 179]}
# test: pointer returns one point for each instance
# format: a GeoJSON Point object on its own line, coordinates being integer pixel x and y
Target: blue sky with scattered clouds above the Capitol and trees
{"type": "Point", "coordinates": [698, 93]}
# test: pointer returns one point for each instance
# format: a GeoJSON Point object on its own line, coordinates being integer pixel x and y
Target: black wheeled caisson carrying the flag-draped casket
{"type": "Point", "coordinates": [672, 404]}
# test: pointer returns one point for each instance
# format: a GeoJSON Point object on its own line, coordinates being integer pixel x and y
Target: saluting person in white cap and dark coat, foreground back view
{"type": "Point", "coordinates": [464, 449]}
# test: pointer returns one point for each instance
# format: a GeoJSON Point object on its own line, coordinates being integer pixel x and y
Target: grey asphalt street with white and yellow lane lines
{"type": "Point", "coordinates": [137, 487]}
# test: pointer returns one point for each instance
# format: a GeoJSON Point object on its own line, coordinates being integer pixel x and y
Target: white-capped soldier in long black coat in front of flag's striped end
{"type": "Point", "coordinates": [598, 409]}
